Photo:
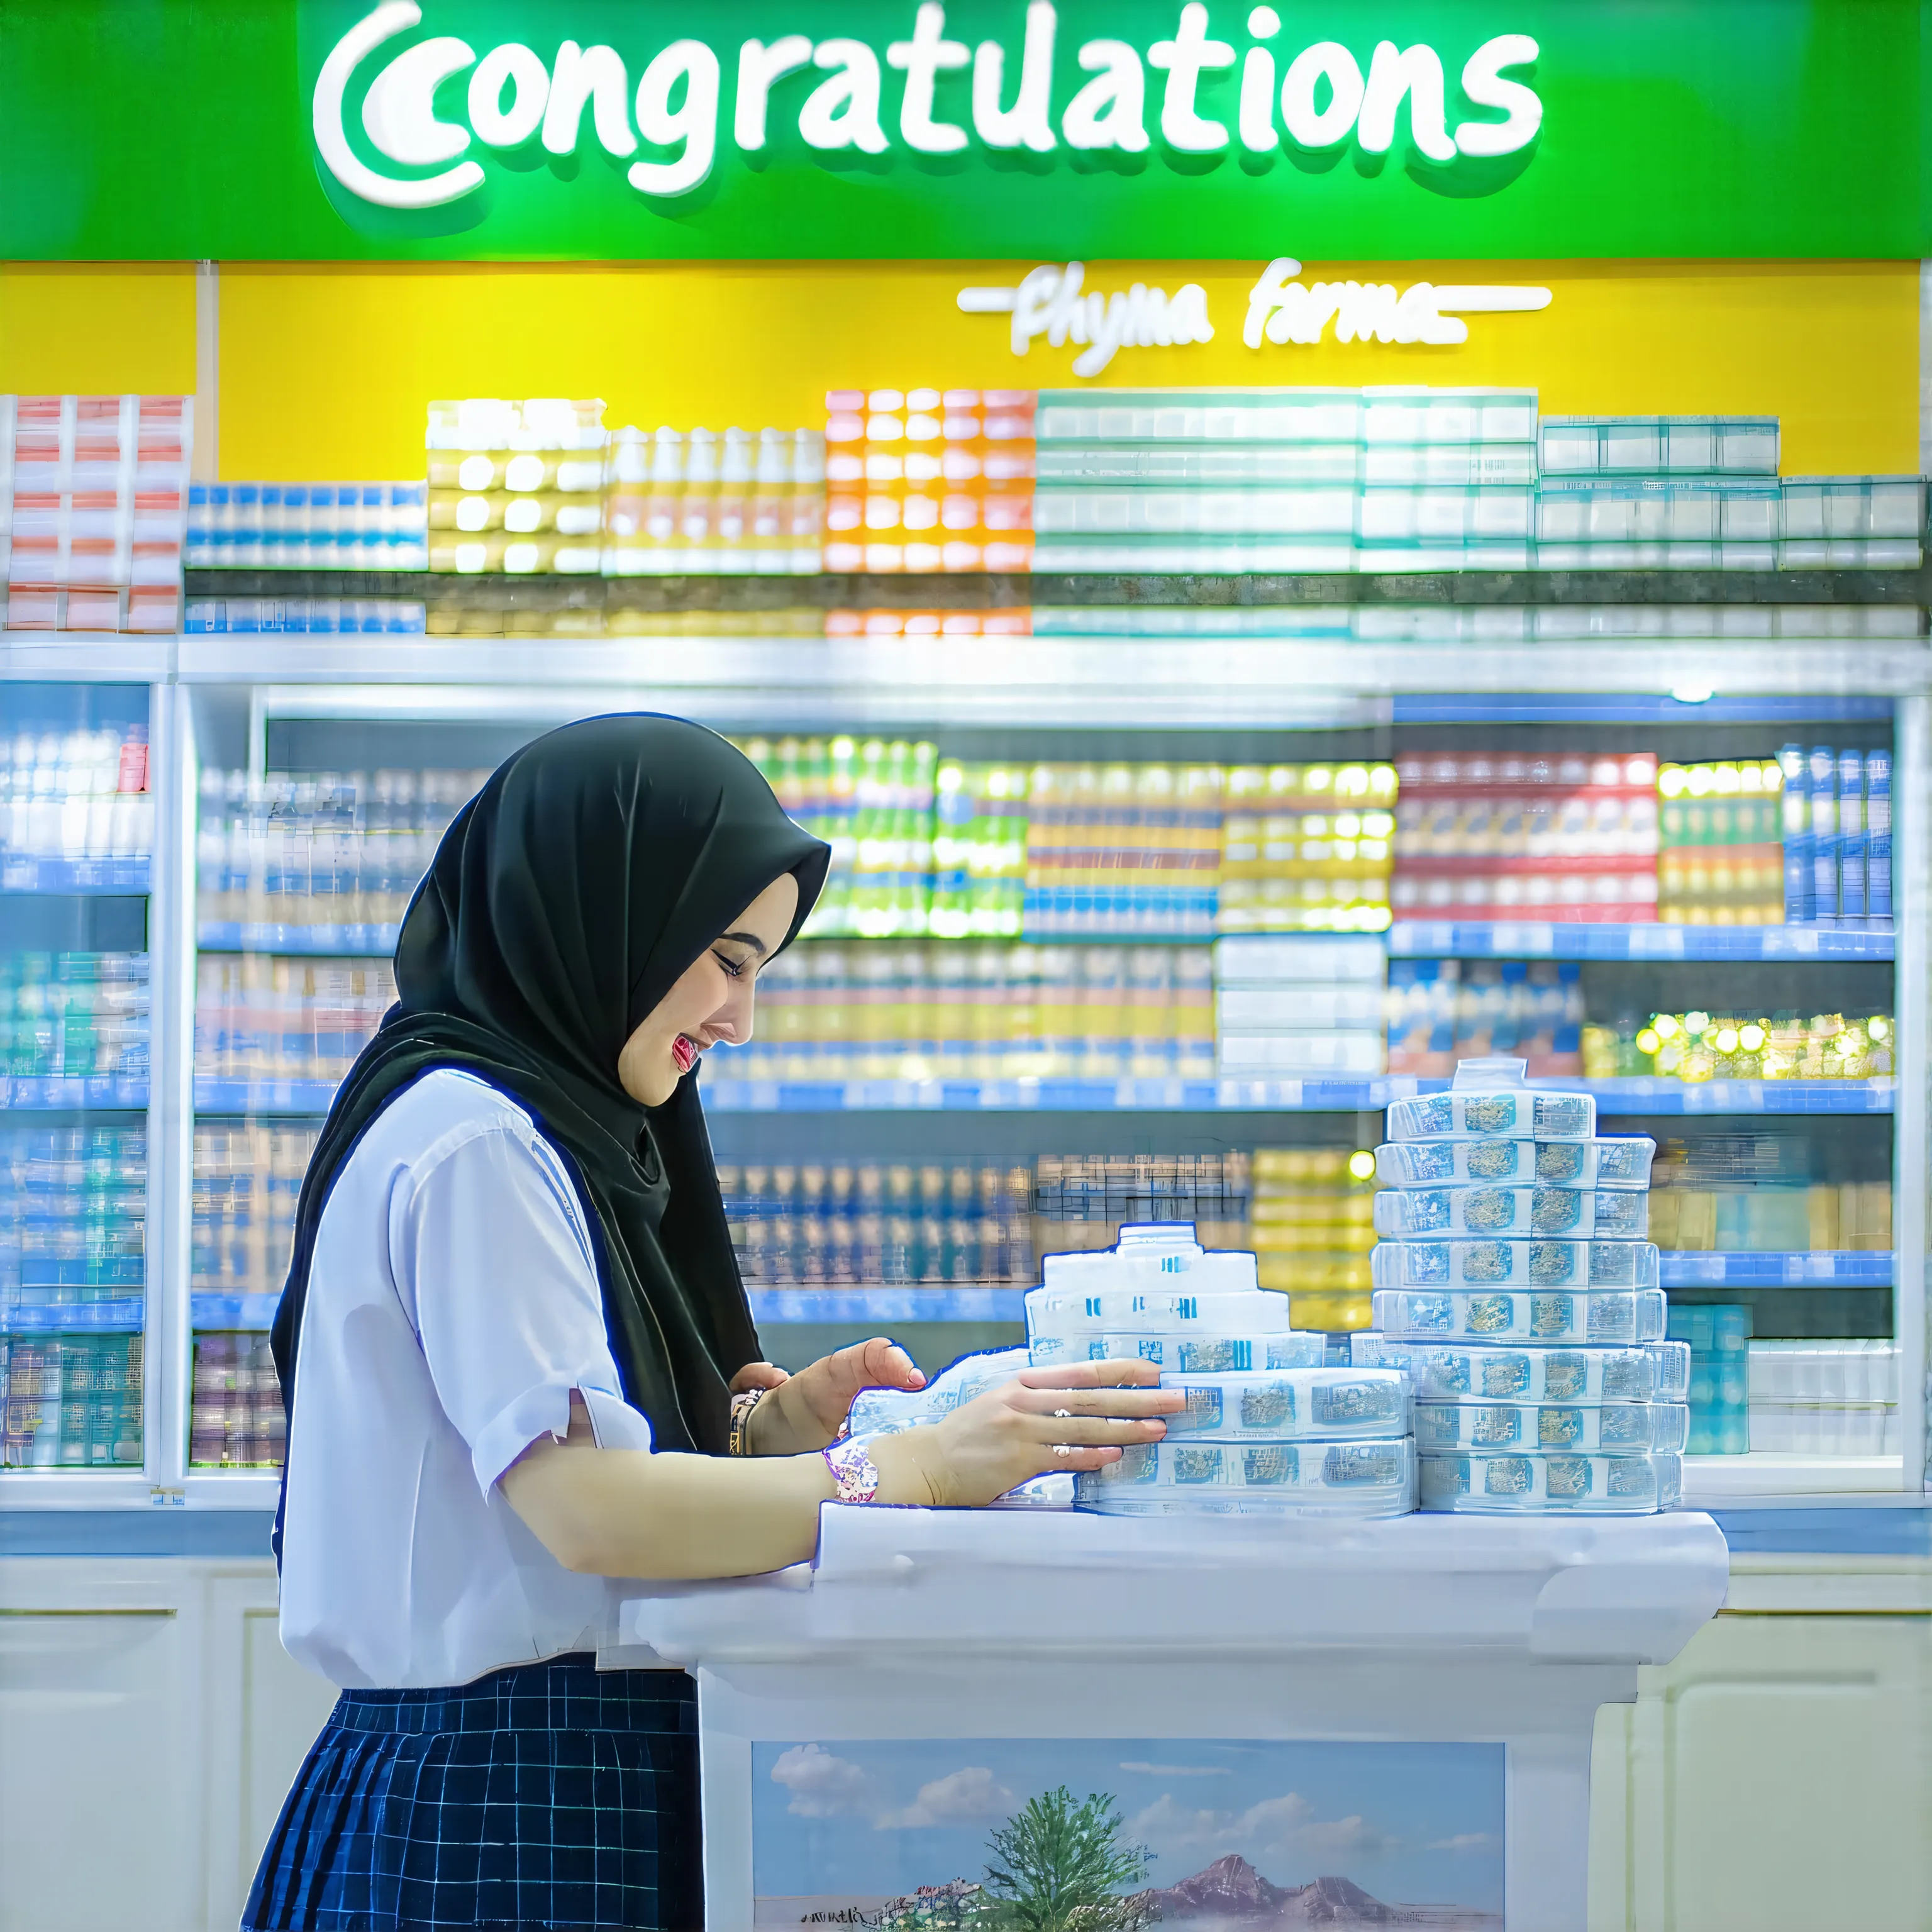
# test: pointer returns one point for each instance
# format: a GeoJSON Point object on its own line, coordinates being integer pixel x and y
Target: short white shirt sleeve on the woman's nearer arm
{"type": "Point", "coordinates": [496, 1270]}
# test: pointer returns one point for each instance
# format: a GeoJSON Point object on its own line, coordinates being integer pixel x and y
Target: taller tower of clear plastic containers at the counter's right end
{"type": "Point", "coordinates": [1516, 1286]}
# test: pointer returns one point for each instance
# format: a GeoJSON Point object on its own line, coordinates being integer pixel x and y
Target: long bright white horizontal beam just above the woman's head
{"type": "Point", "coordinates": [1037, 683]}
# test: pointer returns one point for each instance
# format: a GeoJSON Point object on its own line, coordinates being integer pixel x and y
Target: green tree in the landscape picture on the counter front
{"type": "Point", "coordinates": [1062, 1867]}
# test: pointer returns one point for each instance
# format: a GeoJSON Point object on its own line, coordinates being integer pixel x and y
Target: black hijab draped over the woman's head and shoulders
{"type": "Point", "coordinates": [563, 903]}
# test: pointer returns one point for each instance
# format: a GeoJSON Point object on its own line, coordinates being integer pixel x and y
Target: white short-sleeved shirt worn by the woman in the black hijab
{"type": "Point", "coordinates": [453, 1307]}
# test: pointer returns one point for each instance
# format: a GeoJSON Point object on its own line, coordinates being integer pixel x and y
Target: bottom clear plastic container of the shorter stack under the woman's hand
{"type": "Point", "coordinates": [1369, 1479]}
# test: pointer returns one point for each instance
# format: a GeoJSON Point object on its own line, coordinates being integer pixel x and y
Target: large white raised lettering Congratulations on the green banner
{"type": "Point", "coordinates": [1317, 101]}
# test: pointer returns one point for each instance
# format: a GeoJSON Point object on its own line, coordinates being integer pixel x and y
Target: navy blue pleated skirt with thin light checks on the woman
{"type": "Point", "coordinates": [544, 1796]}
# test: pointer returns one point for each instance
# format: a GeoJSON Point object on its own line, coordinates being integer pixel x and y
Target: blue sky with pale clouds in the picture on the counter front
{"type": "Point", "coordinates": [1415, 1825]}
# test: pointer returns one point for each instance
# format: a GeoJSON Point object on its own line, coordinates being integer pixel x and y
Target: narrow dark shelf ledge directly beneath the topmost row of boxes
{"type": "Point", "coordinates": [984, 590]}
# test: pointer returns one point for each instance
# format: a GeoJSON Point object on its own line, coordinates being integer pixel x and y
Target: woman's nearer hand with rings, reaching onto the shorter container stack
{"type": "Point", "coordinates": [1013, 1433]}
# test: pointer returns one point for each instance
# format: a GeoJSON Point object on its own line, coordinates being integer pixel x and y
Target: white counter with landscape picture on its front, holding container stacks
{"type": "Point", "coordinates": [1037, 1635]}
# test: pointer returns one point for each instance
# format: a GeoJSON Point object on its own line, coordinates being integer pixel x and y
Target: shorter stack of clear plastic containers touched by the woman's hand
{"type": "Point", "coordinates": [1268, 1429]}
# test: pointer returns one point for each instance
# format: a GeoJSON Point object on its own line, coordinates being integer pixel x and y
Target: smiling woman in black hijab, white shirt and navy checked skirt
{"type": "Point", "coordinates": [519, 1359]}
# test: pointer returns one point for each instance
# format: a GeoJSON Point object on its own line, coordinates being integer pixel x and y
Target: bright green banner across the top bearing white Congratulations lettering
{"type": "Point", "coordinates": [1346, 130]}
